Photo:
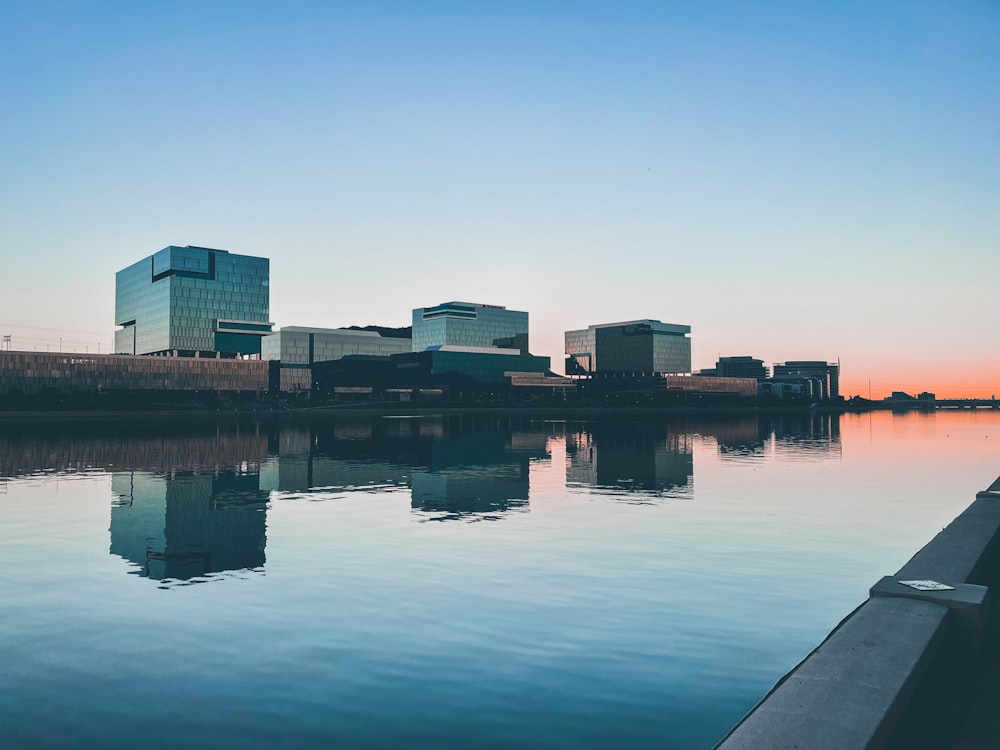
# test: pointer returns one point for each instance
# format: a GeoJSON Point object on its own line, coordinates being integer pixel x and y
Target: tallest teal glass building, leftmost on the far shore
{"type": "Point", "coordinates": [192, 300]}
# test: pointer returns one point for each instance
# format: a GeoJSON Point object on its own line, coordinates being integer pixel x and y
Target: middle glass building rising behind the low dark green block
{"type": "Point", "coordinates": [470, 324]}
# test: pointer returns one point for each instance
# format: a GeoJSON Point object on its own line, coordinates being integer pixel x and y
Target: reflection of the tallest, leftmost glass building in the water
{"type": "Point", "coordinates": [182, 526]}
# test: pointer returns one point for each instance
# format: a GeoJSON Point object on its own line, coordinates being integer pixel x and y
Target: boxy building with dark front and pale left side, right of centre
{"type": "Point", "coordinates": [635, 346]}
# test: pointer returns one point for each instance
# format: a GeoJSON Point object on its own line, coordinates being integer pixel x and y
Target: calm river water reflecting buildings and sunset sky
{"type": "Point", "coordinates": [446, 581]}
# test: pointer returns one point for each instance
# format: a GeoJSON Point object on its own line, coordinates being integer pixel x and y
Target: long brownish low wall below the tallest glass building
{"type": "Point", "coordinates": [35, 373]}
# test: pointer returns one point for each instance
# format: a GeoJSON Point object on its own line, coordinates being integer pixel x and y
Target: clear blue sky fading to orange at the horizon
{"type": "Point", "coordinates": [794, 180]}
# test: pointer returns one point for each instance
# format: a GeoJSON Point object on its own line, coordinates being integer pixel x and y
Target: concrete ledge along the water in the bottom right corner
{"type": "Point", "coordinates": [851, 690]}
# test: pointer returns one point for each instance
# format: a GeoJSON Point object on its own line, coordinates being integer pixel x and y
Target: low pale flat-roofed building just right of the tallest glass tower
{"type": "Point", "coordinates": [297, 348]}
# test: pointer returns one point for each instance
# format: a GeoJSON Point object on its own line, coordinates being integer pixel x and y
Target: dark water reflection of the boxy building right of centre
{"type": "Point", "coordinates": [634, 457]}
